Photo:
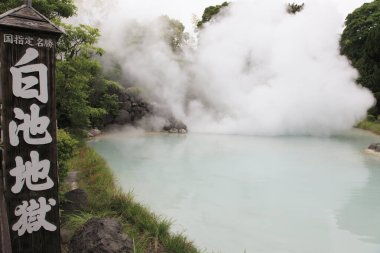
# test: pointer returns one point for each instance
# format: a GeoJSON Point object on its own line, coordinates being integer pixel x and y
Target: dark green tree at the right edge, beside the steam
{"type": "Point", "coordinates": [360, 43]}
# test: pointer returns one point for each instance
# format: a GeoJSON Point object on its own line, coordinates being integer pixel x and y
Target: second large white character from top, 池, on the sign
{"type": "Point", "coordinates": [33, 125]}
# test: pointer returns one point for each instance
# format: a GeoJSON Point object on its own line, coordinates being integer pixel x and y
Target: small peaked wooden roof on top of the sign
{"type": "Point", "coordinates": [26, 17]}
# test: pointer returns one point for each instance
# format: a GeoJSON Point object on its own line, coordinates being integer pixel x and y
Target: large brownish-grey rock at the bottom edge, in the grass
{"type": "Point", "coordinates": [101, 236]}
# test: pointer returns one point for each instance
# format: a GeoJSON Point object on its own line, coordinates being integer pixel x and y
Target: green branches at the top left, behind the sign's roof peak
{"type": "Point", "coordinates": [52, 9]}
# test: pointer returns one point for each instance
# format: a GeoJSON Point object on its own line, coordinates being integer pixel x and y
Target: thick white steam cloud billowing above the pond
{"type": "Point", "coordinates": [257, 70]}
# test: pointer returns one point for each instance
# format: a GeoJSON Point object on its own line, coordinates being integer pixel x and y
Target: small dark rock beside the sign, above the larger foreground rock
{"type": "Point", "coordinates": [75, 201]}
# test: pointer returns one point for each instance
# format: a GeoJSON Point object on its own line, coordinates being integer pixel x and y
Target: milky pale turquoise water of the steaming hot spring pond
{"type": "Point", "coordinates": [259, 194]}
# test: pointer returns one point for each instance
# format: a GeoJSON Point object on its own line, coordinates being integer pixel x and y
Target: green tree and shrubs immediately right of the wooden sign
{"type": "Point", "coordinates": [84, 96]}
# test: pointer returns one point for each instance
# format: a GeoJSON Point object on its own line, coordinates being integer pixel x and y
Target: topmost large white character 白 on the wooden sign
{"type": "Point", "coordinates": [24, 87]}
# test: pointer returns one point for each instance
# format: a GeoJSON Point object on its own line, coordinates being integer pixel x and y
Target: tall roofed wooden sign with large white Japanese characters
{"type": "Point", "coordinates": [29, 168]}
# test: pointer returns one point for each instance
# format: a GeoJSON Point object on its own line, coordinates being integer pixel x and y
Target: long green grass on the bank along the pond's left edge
{"type": "Point", "coordinates": [149, 232]}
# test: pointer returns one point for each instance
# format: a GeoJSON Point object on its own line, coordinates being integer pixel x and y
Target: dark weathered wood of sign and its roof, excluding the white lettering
{"type": "Point", "coordinates": [41, 241]}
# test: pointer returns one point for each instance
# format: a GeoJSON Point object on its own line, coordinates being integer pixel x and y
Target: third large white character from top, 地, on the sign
{"type": "Point", "coordinates": [31, 173]}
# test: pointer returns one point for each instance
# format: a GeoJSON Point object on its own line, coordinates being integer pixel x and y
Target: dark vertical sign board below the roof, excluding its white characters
{"type": "Point", "coordinates": [11, 51]}
